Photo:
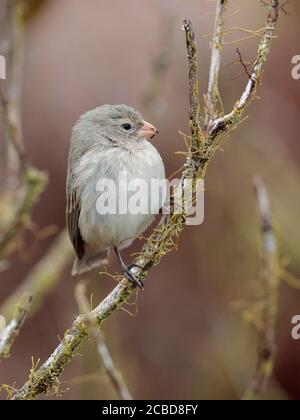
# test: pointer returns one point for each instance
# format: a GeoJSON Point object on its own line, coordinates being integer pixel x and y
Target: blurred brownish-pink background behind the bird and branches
{"type": "Point", "coordinates": [183, 339]}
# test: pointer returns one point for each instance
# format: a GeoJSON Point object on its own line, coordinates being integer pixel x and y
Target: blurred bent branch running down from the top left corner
{"type": "Point", "coordinates": [33, 181]}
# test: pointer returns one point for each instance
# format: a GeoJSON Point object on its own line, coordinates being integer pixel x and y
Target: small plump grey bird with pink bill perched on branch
{"type": "Point", "coordinates": [106, 142]}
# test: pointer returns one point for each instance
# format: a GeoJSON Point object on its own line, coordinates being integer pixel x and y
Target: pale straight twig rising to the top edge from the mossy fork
{"type": "Point", "coordinates": [212, 96]}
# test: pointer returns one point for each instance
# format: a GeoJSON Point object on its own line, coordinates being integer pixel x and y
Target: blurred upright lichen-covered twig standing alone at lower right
{"type": "Point", "coordinates": [270, 282]}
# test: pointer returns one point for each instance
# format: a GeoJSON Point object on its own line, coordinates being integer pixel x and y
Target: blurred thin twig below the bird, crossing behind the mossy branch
{"type": "Point", "coordinates": [112, 372]}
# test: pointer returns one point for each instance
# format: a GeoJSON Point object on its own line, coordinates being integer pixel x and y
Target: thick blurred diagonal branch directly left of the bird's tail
{"type": "Point", "coordinates": [44, 275]}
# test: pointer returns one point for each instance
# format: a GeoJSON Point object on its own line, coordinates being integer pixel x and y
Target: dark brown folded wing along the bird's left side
{"type": "Point", "coordinates": [73, 213]}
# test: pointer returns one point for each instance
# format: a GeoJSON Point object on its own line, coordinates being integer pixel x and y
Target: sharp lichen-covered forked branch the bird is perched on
{"type": "Point", "coordinates": [164, 237]}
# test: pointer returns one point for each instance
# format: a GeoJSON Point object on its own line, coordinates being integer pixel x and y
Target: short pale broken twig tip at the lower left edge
{"type": "Point", "coordinates": [10, 333]}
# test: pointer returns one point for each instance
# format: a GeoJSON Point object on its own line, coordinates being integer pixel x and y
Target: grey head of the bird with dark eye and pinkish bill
{"type": "Point", "coordinates": [116, 123]}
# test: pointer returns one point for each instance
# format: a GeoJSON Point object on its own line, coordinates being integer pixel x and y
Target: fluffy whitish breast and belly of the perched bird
{"type": "Point", "coordinates": [133, 210]}
